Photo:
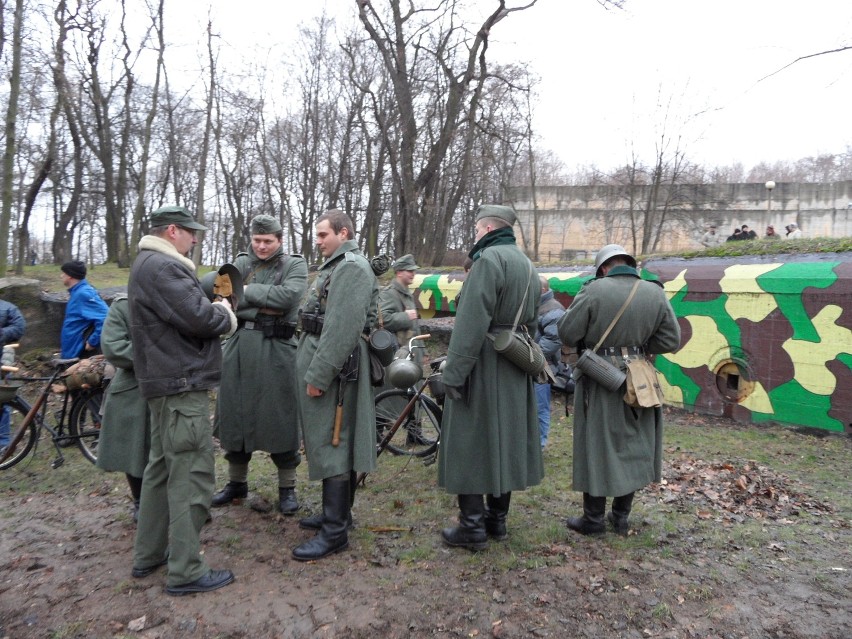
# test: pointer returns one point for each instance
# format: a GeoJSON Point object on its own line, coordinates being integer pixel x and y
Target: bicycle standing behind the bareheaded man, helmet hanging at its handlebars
{"type": "Point", "coordinates": [408, 422]}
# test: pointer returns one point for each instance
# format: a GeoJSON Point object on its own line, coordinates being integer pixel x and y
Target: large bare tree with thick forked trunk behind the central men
{"type": "Point", "coordinates": [410, 42]}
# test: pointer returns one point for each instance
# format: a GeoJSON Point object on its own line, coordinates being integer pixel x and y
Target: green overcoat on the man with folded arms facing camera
{"type": "Point", "coordinates": [257, 395]}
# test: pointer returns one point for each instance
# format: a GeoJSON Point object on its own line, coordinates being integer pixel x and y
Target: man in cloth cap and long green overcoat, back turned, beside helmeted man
{"type": "Point", "coordinates": [490, 439]}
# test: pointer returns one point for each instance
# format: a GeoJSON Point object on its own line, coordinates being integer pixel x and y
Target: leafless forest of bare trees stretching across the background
{"type": "Point", "coordinates": [395, 113]}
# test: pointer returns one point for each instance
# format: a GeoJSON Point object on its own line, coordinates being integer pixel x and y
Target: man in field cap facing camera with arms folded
{"type": "Point", "coordinates": [257, 396]}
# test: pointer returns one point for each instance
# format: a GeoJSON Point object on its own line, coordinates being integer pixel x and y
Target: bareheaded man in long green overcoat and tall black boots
{"type": "Point", "coordinates": [333, 367]}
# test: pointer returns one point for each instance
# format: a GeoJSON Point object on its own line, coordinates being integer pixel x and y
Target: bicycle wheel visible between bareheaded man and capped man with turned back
{"type": "Point", "coordinates": [418, 435]}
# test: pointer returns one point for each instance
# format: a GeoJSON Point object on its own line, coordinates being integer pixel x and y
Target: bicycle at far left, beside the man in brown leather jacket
{"type": "Point", "coordinates": [27, 421]}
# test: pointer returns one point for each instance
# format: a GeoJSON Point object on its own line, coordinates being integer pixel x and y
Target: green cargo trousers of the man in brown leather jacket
{"type": "Point", "coordinates": [177, 486]}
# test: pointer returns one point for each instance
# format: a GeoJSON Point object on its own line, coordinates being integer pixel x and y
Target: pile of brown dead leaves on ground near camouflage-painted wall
{"type": "Point", "coordinates": [732, 490]}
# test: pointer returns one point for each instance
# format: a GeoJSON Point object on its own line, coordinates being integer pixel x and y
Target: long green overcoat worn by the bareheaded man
{"type": "Point", "coordinates": [349, 307]}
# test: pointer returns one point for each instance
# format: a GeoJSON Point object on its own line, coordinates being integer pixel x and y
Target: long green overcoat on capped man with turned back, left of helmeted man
{"type": "Point", "coordinates": [490, 443]}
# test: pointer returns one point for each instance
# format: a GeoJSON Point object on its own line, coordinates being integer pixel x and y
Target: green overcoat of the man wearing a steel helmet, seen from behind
{"type": "Point", "coordinates": [617, 449]}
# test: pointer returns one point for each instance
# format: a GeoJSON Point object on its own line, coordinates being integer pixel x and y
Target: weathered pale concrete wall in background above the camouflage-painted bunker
{"type": "Point", "coordinates": [580, 219]}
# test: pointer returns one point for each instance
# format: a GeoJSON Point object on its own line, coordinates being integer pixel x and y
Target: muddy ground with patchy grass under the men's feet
{"type": "Point", "coordinates": [725, 547]}
